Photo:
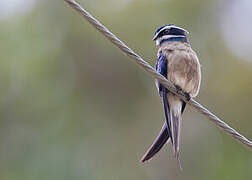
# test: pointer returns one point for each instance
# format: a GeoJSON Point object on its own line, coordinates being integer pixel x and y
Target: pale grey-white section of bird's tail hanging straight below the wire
{"type": "Point", "coordinates": [176, 107]}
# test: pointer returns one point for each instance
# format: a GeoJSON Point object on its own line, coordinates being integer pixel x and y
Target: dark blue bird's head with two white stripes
{"type": "Point", "coordinates": [170, 32]}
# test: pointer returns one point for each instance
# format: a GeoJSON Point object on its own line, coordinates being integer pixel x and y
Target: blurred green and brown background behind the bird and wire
{"type": "Point", "coordinates": [64, 115]}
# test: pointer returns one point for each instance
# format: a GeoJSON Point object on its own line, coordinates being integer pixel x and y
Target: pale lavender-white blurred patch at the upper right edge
{"type": "Point", "coordinates": [237, 31]}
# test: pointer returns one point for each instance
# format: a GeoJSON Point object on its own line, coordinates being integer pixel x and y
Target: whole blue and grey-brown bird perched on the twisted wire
{"type": "Point", "coordinates": [180, 65]}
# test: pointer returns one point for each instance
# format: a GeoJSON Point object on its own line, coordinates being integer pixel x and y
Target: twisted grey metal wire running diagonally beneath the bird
{"type": "Point", "coordinates": [147, 67]}
